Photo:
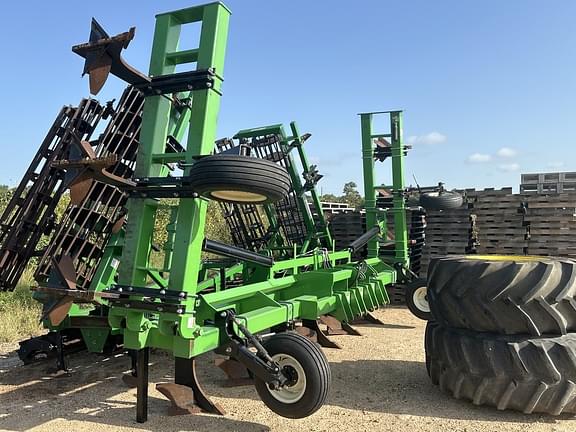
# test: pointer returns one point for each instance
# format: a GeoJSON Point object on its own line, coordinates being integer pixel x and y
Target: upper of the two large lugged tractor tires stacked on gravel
{"type": "Point", "coordinates": [504, 294]}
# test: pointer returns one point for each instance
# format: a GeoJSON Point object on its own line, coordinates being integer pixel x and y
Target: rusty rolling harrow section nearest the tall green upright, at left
{"type": "Point", "coordinates": [86, 227]}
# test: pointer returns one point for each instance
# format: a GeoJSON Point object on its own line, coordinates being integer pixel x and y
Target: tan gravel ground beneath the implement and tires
{"type": "Point", "coordinates": [379, 384]}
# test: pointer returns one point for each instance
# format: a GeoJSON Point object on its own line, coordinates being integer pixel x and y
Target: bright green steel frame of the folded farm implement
{"type": "Point", "coordinates": [310, 281]}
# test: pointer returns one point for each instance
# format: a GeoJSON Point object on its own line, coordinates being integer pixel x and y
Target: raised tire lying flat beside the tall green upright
{"type": "Point", "coordinates": [230, 178]}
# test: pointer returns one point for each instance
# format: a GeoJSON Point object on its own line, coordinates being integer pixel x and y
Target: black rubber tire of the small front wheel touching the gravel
{"type": "Point", "coordinates": [316, 370]}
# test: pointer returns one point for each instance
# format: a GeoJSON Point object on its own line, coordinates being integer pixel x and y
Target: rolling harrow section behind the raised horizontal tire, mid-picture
{"type": "Point", "coordinates": [246, 222]}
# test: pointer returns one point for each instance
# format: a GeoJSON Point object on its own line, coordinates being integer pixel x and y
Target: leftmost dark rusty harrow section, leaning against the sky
{"type": "Point", "coordinates": [30, 214]}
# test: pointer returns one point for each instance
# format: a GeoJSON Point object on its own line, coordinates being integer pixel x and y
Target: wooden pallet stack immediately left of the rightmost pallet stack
{"type": "Point", "coordinates": [499, 218]}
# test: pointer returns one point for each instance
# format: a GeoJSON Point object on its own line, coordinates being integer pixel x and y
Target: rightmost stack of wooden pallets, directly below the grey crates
{"type": "Point", "coordinates": [550, 221]}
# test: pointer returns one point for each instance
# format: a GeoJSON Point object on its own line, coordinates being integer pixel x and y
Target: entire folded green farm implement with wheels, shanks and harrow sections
{"type": "Point", "coordinates": [103, 280]}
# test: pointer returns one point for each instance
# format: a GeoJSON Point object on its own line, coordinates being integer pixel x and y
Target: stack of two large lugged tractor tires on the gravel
{"type": "Point", "coordinates": [503, 331]}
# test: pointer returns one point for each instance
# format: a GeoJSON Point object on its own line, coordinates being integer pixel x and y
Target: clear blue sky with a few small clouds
{"type": "Point", "coordinates": [488, 87]}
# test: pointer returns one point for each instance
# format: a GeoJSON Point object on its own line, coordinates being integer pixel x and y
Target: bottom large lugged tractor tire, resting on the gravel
{"type": "Point", "coordinates": [532, 375]}
